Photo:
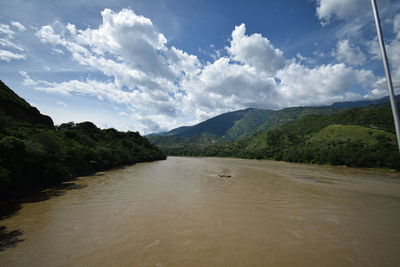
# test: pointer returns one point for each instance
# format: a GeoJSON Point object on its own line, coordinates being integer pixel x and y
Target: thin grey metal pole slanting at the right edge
{"type": "Point", "coordinates": [387, 71]}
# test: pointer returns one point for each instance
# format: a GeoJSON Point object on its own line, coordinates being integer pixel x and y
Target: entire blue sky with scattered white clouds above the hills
{"type": "Point", "coordinates": [154, 65]}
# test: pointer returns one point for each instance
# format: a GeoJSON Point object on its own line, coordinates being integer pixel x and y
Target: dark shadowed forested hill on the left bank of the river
{"type": "Point", "coordinates": [34, 153]}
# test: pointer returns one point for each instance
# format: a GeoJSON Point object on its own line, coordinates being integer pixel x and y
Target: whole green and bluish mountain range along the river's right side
{"type": "Point", "coordinates": [359, 134]}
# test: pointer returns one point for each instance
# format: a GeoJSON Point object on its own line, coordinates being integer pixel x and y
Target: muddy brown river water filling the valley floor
{"type": "Point", "coordinates": [213, 212]}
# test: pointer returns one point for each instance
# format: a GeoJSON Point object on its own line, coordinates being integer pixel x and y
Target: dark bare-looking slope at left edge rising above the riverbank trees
{"type": "Point", "coordinates": [14, 106]}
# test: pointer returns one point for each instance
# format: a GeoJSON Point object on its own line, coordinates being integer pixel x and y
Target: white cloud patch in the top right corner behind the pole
{"type": "Point", "coordinates": [357, 24]}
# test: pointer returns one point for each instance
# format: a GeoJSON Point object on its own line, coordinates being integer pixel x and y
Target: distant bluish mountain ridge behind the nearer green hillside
{"type": "Point", "coordinates": [242, 124]}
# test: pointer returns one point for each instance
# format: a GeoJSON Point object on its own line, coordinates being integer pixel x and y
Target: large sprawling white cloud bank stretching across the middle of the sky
{"type": "Point", "coordinates": [164, 87]}
